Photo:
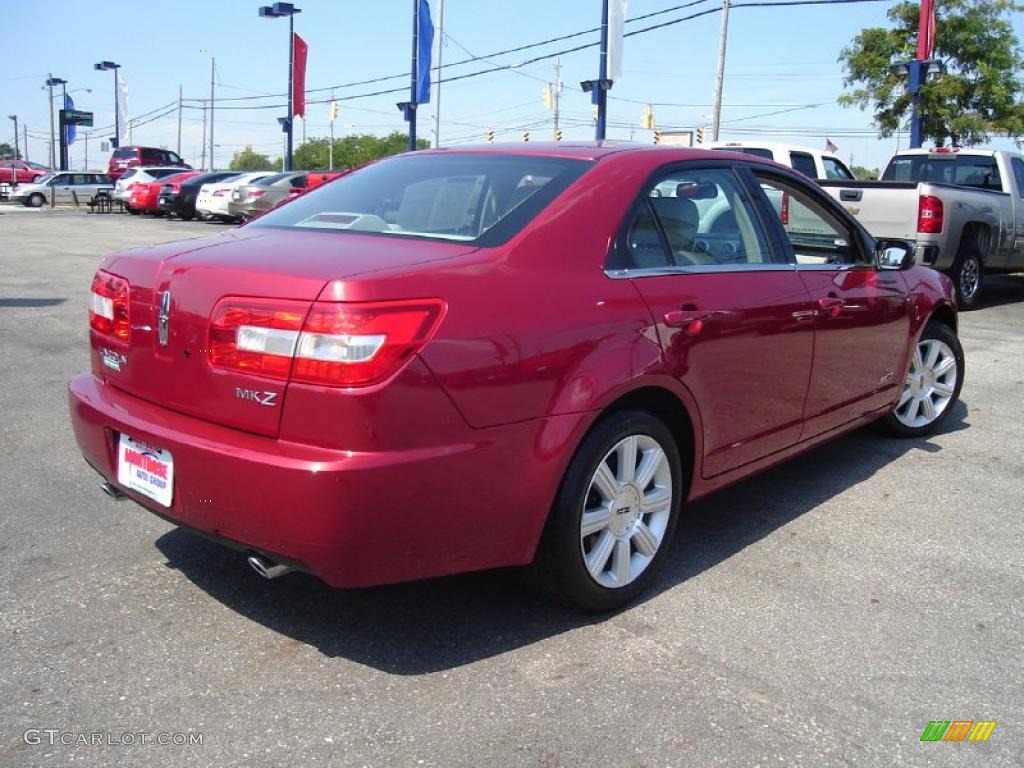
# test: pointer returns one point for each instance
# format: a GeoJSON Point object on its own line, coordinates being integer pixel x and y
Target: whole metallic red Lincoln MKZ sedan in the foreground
{"type": "Point", "coordinates": [461, 360]}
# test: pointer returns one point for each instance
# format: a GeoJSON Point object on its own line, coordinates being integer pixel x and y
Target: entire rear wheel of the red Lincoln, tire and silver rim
{"type": "Point", "coordinates": [615, 517]}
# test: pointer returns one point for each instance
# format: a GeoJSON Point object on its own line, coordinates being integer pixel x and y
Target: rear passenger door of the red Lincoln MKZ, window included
{"type": "Point", "coordinates": [734, 318]}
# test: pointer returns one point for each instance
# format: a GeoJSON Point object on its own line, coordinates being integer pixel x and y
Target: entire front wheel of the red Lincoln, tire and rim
{"type": "Point", "coordinates": [932, 387]}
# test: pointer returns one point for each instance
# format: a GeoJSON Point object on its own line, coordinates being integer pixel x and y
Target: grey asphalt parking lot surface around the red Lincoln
{"type": "Point", "coordinates": [820, 615]}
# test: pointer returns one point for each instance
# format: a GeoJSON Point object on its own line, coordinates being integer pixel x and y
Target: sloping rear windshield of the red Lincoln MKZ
{"type": "Point", "coordinates": [472, 197]}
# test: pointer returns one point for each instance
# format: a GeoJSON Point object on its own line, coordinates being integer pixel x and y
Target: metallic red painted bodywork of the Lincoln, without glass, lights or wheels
{"type": "Point", "coordinates": [454, 462]}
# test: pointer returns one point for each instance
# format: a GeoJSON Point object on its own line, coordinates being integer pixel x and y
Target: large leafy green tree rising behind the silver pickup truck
{"type": "Point", "coordinates": [977, 97]}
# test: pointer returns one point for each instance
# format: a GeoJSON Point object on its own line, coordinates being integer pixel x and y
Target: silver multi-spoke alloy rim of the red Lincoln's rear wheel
{"type": "Point", "coordinates": [626, 511]}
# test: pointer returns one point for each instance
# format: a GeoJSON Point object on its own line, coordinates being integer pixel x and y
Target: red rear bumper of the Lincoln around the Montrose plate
{"type": "Point", "coordinates": [353, 519]}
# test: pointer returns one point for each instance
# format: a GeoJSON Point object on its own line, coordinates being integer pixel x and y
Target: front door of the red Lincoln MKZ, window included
{"type": "Point", "coordinates": [861, 314]}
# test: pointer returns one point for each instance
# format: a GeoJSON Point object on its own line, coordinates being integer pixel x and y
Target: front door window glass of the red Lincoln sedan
{"type": "Point", "coordinates": [817, 236]}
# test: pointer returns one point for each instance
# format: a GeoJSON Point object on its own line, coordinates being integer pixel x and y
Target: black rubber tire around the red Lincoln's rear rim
{"type": "Point", "coordinates": [559, 570]}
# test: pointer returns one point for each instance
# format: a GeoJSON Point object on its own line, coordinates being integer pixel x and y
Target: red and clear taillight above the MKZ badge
{"type": "Point", "coordinates": [330, 344]}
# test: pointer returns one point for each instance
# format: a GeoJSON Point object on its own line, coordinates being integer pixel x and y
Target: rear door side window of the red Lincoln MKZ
{"type": "Point", "coordinates": [698, 220]}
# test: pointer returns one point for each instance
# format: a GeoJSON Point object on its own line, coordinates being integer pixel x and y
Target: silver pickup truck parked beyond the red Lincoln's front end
{"type": "Point", "coordinates": [963, 209]}
